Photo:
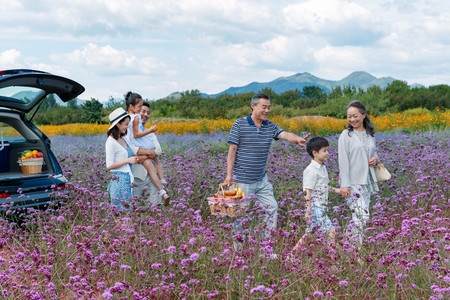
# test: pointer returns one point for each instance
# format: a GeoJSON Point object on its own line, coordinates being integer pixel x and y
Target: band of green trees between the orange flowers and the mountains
{"type": "Point", "coordinates": [311, 100]}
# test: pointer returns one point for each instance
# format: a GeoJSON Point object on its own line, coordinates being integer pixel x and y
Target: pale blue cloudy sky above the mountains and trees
{"type": "Point", "coordinates": [157, 47]}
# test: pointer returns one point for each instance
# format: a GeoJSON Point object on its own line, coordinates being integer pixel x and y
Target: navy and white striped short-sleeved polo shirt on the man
{"type": "Point", "coordinates": [253, 148]}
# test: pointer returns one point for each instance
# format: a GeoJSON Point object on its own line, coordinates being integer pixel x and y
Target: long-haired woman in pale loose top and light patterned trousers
{"type": "Point", "coordinates": [357, 153]}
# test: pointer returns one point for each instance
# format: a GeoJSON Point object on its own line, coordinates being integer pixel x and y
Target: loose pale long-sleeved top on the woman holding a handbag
{"type": "Point", "coordinates": [353, 162]}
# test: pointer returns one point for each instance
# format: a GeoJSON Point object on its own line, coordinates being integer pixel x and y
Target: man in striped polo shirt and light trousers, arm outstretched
{"type": "Point", "coordinates": [250, 139]}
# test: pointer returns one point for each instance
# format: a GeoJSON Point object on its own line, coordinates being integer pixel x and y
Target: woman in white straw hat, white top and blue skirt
{"type": "Point", "coordinates": [120, 155]}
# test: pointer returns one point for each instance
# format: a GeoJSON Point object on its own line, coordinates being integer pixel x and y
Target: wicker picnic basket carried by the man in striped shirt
{"type": "Point", "coordinates": [229, 205]}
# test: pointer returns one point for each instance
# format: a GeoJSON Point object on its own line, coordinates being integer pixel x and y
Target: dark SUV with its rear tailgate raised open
{"type": "Point", "coordinates": [21, 91]}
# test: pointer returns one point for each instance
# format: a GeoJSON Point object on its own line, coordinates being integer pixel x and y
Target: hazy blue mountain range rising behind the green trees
{"type": "Point", "coordinates": [298, 81]}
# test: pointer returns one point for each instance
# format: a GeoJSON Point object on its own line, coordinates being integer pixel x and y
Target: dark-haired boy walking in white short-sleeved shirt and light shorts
{"type": "Point", "coordinates": [316, 188]}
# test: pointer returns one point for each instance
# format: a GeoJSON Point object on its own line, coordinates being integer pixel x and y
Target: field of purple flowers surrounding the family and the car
{"type": "Point", "coordinates": [86, 249]}
